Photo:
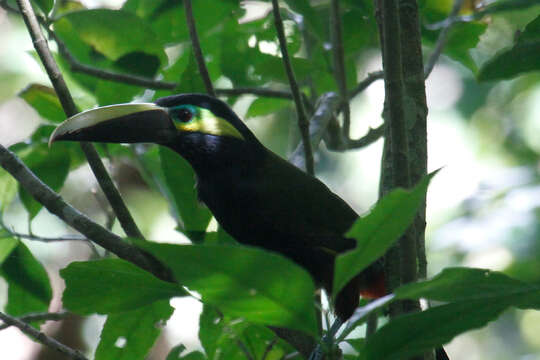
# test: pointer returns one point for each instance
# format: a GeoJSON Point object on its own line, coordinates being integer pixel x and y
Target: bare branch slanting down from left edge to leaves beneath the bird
{"type": "Point", "coordinates": [73, 217]}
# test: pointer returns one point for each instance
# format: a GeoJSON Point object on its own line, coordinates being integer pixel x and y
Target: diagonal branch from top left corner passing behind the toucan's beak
{"type": "Point", "coordinates": [57, 80]}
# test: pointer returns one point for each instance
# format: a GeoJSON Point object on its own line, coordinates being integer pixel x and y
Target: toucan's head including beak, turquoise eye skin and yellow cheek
{"type": "Point", "coordinates": [201, 128]}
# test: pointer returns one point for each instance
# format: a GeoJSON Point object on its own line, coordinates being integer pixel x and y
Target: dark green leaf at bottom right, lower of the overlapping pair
{"type": "Point", "coordinates": [416, 333]}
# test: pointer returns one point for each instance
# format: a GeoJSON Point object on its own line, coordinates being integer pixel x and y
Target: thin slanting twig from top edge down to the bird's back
{"type": "Point", "coordinates": [303, 123]}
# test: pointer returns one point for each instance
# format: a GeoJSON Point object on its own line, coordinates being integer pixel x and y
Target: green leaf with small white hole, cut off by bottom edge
{"type": "Point", "coordinates": [130, 334]}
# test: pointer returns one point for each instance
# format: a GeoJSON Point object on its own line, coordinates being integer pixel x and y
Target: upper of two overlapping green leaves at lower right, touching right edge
{"type": "Point", "coordinates": [465, 284]}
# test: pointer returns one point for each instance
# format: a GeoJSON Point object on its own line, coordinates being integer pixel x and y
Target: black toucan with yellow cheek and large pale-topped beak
{"type": "Point", "coordinates": [257, 197]}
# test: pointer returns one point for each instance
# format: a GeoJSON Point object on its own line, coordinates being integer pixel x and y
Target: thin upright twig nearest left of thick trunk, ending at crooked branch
{"type": "Point", "coordinates": [339, 65]}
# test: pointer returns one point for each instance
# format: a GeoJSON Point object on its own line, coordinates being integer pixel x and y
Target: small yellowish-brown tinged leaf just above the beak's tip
{"type": "Point", "coordinates": [44, 100]}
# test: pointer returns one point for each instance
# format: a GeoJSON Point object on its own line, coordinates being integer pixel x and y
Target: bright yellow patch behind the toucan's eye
{"type": "Point", "coordinates": [204, 121]}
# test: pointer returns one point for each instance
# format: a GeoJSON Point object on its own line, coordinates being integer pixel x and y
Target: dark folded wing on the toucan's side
{"type": "Point", "coordinates": [302, 206]}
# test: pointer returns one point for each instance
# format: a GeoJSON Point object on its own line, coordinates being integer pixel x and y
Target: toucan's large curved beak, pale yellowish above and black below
{"type": "Point", "coordinates": [122, 123]}
